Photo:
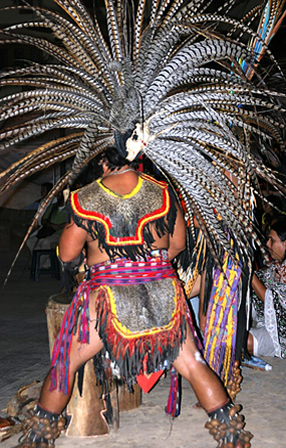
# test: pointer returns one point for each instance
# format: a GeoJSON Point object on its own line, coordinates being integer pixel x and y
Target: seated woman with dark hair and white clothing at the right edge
{"type": "Point", "coordinates": [268, 335]}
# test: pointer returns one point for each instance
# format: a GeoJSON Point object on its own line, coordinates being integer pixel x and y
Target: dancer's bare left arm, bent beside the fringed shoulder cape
{"type": "Point", "coordinates": [71, 242]}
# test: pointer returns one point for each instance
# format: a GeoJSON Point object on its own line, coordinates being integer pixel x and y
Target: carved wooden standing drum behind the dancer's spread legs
{"type": "Point", "coordinates": [86, 410]}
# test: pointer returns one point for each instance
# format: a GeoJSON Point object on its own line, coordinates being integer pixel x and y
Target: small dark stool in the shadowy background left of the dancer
{"type": "Point", "coordinates": [36, 270]}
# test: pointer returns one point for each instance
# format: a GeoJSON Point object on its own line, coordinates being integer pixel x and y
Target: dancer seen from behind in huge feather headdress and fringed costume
{"type": "Point", "coordinates": [167, 80]}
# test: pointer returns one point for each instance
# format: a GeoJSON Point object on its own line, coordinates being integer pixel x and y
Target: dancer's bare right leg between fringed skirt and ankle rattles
{"type": "Point", "coordinates": [206, 384]}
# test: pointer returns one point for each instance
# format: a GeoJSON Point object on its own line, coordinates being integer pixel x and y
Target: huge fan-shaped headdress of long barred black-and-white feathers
{"type": "Point", "coordinates": [181, 76]}
